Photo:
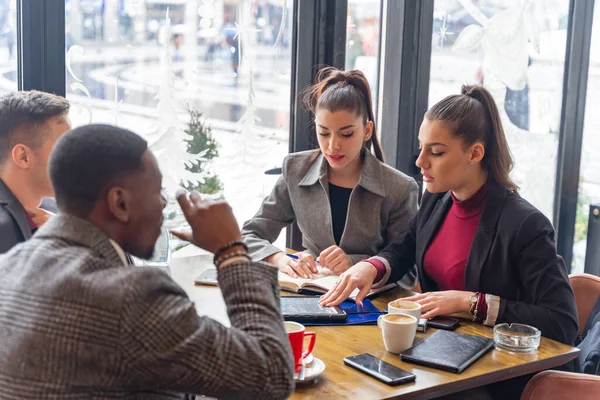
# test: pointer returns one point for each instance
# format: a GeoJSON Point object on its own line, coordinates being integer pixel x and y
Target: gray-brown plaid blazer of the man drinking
{"type": "Point", "coordinates": [76, 322]}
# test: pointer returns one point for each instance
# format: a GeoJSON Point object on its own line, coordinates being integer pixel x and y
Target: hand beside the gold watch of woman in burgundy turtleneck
{"type": "Point", "coordinates": [442, 303]}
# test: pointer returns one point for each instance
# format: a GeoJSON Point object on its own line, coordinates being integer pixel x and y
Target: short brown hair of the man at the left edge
{"type": "Point", "coordinates": [21, 115]}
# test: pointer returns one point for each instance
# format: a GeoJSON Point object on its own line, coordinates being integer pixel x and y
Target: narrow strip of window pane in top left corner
{"type": "Point", "coordinates": [8, 46]}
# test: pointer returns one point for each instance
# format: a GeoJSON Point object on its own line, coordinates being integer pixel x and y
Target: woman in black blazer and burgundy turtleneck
{"type": "Point", "coordinates": [479, 247]}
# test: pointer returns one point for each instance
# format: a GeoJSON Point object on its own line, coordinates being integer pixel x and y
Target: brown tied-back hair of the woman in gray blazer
{"type": "Point", "coordinates": [336, 90]}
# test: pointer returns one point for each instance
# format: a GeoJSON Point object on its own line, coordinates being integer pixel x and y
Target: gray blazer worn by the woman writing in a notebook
{"type": "Point", "coordinates": [380, 208]}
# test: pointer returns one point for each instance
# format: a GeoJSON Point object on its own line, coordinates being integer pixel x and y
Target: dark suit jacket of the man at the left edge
{"type": "Point", "coordinates": [14, 227]}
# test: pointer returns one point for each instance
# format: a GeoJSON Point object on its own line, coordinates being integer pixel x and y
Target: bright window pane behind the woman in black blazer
{"type": "Point", "coordinates": [516, 50]}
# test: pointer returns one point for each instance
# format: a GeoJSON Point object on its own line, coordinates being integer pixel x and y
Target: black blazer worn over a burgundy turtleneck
{"type": "Point", "coordinates": [513, 256]}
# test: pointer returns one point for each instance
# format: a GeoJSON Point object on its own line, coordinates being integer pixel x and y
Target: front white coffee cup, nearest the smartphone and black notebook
{"type": "Point", "coordinates": [398, 331]}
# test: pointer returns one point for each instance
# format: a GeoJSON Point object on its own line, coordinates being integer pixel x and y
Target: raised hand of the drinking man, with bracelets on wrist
{"type": "Point", "coordinates": [223, 231]}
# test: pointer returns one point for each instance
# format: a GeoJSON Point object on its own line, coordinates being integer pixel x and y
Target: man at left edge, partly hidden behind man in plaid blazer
{"type": "Point", "coordinates": [30, 124]}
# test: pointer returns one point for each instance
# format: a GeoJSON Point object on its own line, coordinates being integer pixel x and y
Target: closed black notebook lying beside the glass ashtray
{"type": "Point", "coordinates": [449, 351]}
